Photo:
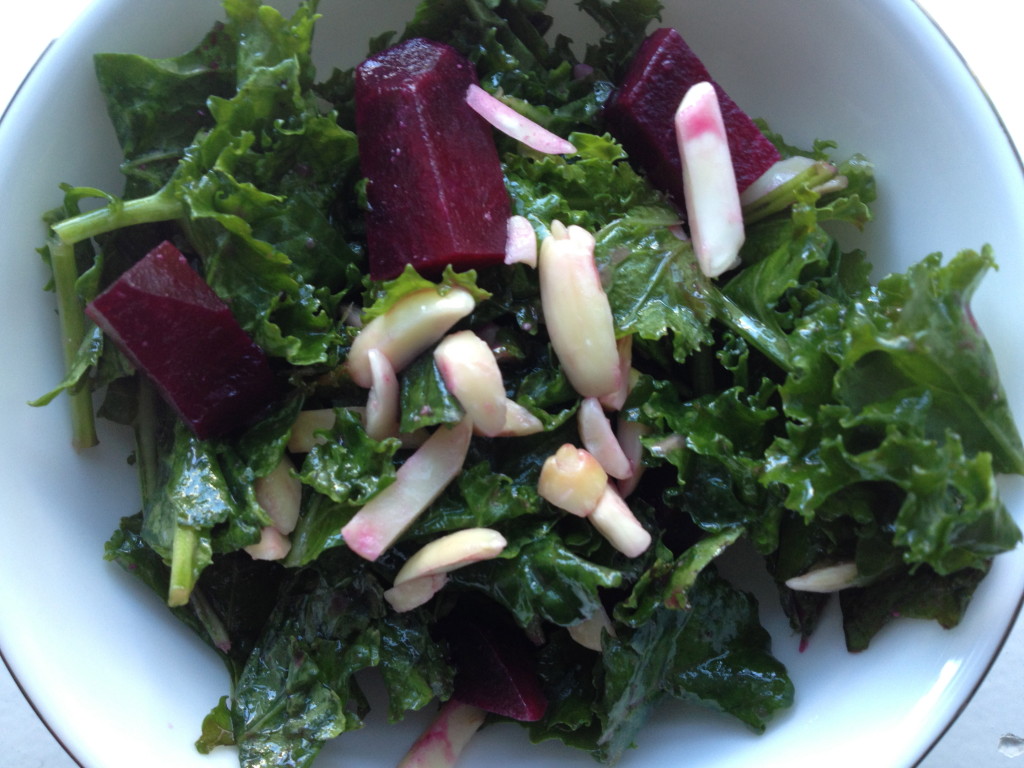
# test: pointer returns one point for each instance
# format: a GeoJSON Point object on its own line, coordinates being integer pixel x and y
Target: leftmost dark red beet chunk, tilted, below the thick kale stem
{"type": "Point", "coordinates": [164, 317]}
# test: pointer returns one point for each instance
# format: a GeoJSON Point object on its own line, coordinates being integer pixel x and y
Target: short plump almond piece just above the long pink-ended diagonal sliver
{"type": "Point", "coordinates": [471, 370]}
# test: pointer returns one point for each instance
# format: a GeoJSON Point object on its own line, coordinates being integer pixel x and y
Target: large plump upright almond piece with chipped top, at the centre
{"type": "Point", "coordinates": [577, 312]}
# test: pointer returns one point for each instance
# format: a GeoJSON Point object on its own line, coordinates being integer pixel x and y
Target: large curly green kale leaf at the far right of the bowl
{"type": "Point", "coordinates": [884, 397]}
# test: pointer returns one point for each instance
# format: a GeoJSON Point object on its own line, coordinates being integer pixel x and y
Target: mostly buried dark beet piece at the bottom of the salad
{"type": "Point", "coordinates": [495, 670]}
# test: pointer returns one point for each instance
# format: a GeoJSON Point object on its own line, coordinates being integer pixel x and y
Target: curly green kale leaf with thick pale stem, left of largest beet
{"type": "Point", "coordinates": [257, 190]}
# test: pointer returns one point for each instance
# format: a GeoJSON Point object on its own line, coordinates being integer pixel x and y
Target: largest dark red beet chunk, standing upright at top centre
{"type": "Point", "coordinates": [436, 188]}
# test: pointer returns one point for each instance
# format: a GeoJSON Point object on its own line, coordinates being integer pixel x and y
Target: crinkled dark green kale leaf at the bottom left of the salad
{"type": "Point", "coordinates": [300, 689]}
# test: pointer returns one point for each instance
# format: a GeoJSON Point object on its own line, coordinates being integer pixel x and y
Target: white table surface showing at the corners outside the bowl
{"type": "Point", "coordinates": [987, 34]}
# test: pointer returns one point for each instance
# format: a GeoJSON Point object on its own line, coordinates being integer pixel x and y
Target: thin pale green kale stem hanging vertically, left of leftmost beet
{"type": "Point", "coordinates": [73, 332]}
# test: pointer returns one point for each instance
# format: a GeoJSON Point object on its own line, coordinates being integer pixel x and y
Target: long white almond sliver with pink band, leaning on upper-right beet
{"type": "Point", "coordinates": [713, 208]}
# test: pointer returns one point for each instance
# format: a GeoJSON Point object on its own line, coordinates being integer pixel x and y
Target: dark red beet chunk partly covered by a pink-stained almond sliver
{"type": "Point", "coordinates": [641, 115]}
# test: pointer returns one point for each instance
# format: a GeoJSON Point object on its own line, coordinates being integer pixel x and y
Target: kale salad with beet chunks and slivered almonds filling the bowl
{"type": "Point", "coordinates": [498, 379]}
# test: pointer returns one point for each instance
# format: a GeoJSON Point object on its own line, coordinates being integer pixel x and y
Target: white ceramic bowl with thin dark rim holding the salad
{"type": "Point", "coordinates": [122, 685]}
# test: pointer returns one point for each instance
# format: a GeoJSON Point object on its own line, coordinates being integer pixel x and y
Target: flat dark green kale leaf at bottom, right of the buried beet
{"type": "Point", "coordinates": [709, 650]}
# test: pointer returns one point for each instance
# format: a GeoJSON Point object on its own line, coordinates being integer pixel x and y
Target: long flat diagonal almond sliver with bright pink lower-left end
{"type": "Point", "coordinates": [418, 483]}
